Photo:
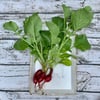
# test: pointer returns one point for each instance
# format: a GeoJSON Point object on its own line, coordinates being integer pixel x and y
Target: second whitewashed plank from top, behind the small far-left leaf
{"type": "Point", "coordinates": [92, 31]}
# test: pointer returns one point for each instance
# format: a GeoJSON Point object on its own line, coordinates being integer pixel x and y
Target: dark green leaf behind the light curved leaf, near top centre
{"type": "Point", "coordinates": [59, 22]}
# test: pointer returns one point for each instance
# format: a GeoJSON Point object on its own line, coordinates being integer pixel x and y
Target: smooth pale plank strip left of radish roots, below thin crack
{"type": "Point", "coordinates": [14, 83]}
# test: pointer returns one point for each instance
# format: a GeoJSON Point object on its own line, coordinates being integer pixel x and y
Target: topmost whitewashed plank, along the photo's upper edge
{"type": "Point", "coordinates": [30, 6]}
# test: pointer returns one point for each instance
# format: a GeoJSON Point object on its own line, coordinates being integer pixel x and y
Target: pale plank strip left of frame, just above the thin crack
{"type": "Point", "coordinates": [14, 70]}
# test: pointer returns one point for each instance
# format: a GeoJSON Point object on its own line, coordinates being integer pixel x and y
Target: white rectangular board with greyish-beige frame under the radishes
{"type": "Point", "coordinates": [63, 80]}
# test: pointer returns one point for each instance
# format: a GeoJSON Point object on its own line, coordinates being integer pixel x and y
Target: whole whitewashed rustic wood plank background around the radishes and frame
{"type": "Point", "coordinates": [14, 65]}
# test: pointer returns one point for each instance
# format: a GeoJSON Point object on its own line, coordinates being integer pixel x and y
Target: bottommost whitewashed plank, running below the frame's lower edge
{"type": "Point", "coordinates": [27, 96]}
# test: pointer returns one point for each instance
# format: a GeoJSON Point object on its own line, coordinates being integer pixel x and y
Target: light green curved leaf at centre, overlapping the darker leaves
{"type": "Point", "coordinates": [54, 30]}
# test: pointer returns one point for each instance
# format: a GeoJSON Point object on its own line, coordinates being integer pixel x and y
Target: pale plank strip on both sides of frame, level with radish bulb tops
{"type": "Point", "coordinates": [23, 70]}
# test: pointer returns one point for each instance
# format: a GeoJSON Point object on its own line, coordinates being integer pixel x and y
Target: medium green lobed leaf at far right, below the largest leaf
{"type": "Point", "coordinates": [81, 42]}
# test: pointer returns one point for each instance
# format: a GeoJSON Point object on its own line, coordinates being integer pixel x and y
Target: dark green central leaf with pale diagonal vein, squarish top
{"type": "Point", "coordinates": [45, 38]}
